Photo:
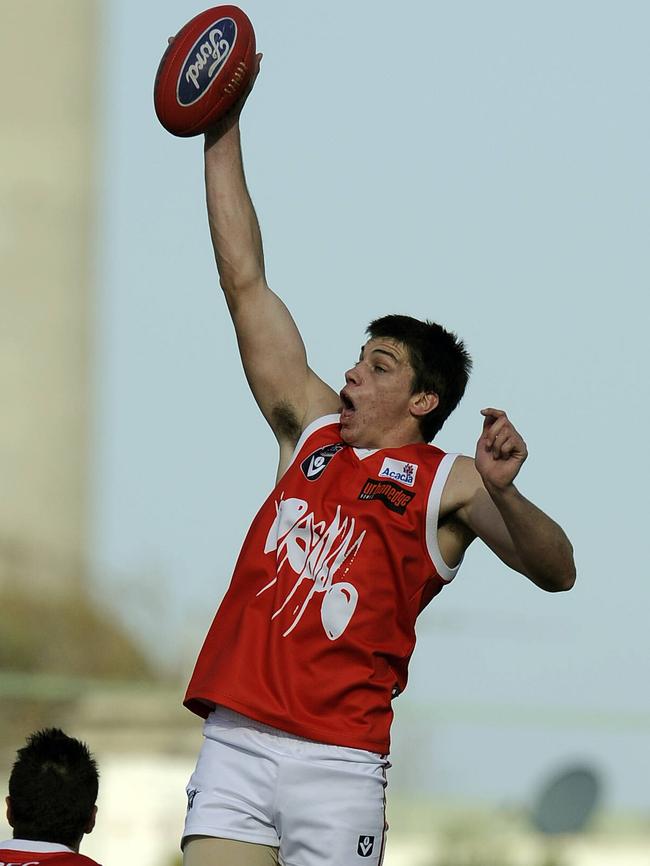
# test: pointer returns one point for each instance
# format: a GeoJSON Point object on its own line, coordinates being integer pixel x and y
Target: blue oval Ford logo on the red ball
{"type": "Point", "coordinates": [204, 60]}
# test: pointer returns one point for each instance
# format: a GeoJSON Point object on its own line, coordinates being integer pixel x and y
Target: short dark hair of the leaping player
{"type": "Point", "coordinates": [439, 359]}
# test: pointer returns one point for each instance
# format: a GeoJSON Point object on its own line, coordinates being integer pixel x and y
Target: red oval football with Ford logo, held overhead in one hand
{"type": "Point", "coordinates": [204, 71]}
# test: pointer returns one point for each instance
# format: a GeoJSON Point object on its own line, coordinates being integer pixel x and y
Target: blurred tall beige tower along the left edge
{"type": "Point", "coordinates": [48, 58]}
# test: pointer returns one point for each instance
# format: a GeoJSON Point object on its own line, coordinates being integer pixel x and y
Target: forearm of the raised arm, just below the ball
{"type": "Point", "coordinates": [234, 228]}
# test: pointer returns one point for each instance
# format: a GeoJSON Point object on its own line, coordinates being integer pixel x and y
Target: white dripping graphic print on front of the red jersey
{"type": "Point", "coordinates": [315, 552]}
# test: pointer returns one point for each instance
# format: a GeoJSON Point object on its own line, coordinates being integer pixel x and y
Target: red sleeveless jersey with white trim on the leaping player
{"type": "Point", "coordinates": [317, 627]}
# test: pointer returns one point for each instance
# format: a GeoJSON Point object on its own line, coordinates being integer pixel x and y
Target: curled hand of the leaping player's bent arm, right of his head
{"type": "Point", "coordinates": [500, 451]}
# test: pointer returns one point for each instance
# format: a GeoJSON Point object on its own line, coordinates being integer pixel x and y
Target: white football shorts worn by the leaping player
{"type": "Point", "coordinates": [321, 805]}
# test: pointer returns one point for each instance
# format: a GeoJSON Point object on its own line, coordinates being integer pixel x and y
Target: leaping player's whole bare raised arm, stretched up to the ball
{"type": "Point", "coordinates": [287, 391]}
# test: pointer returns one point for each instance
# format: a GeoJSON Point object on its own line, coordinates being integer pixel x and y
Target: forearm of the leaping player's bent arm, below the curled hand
{"type": "Point", "coordinates": [541, 544]}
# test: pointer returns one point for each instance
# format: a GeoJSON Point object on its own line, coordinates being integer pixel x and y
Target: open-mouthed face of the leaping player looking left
{"type": "Point", "coordinates": [377, 399]}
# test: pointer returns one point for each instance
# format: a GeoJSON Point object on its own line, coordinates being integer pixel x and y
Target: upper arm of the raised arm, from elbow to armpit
{"type": "Point", "coordinates": [288, 392]}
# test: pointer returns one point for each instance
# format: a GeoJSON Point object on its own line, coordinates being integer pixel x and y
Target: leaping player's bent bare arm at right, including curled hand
{"type": "Point", "coordinates": [492, 508]}
